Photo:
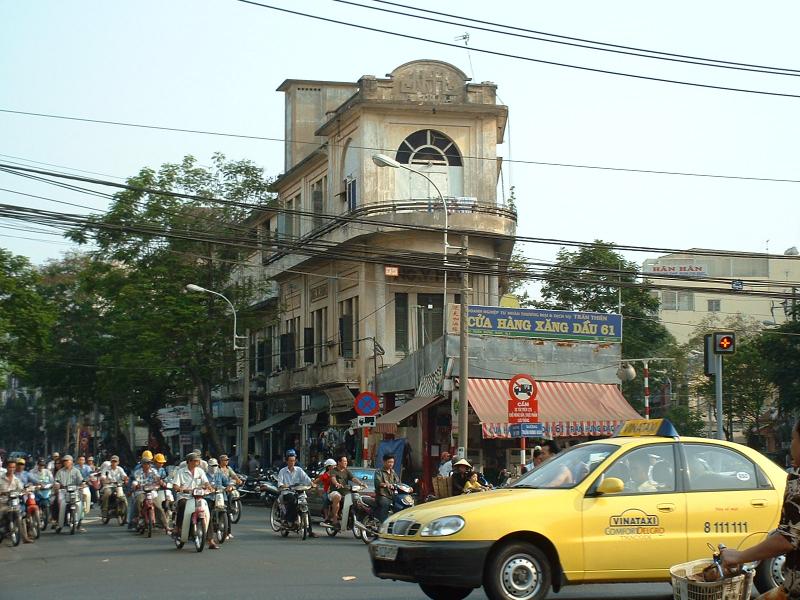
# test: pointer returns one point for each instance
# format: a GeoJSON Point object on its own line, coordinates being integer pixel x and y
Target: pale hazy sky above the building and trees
{"type": "Point", "coordinates": [215, 65]}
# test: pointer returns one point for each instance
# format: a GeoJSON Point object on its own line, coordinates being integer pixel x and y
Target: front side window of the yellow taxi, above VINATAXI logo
{"type": "Point", "coordinates": [646, 470]}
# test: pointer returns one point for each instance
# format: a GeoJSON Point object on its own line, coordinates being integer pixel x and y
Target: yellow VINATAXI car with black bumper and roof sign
{"type": "Point", "coordinates": [623, 509]}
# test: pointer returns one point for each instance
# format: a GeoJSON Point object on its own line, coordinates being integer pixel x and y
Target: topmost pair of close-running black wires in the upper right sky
{"type": "Point", "coordinates": [575, 44]}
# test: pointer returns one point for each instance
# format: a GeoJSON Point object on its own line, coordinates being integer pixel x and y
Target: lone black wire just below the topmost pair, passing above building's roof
{"type": "Point", "coordinates": [517, 56]}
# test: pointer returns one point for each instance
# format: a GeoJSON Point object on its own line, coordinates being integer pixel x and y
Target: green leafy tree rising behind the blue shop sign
{"type": "Point", "coordinates": [599, 279]}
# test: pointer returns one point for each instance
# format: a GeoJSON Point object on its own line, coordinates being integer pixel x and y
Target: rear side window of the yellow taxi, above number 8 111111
{"type": "Point", "coordinates": [711, 468]}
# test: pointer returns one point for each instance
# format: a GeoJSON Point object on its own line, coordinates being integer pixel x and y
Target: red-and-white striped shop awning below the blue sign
{"type": "Point", "coordinates": [566, 409]}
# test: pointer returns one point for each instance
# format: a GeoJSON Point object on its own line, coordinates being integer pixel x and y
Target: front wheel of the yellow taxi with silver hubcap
{"type": "Point", "coordinates": [517, 571]}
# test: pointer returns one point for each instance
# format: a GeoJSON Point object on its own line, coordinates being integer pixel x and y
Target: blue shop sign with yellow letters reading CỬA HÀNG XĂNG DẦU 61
{"type": "Point", "coordinates": [539, 323]}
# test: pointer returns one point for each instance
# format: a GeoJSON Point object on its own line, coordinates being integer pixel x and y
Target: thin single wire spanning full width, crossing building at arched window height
{"type": "Point", "coordinates": [539, 163]}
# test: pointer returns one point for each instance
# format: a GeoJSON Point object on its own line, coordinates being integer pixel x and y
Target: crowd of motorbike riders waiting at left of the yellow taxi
{"type": "Point", "coordinates": [198, 501]}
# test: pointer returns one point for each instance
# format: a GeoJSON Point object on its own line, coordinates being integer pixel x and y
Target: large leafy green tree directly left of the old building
{"type": "Point", "coordinates": [164, 344]}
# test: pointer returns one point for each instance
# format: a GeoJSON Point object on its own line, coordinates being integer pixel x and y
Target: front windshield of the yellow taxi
{"type": "Point", "coordinates": [567, 469]}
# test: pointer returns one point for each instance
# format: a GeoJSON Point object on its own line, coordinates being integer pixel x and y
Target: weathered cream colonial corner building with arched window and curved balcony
{"type": "Point", "coordinates": [357, 251]}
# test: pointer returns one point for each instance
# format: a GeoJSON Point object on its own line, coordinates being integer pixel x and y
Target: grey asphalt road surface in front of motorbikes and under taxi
{"type": "Point", "coordinates": [109, 562]}
